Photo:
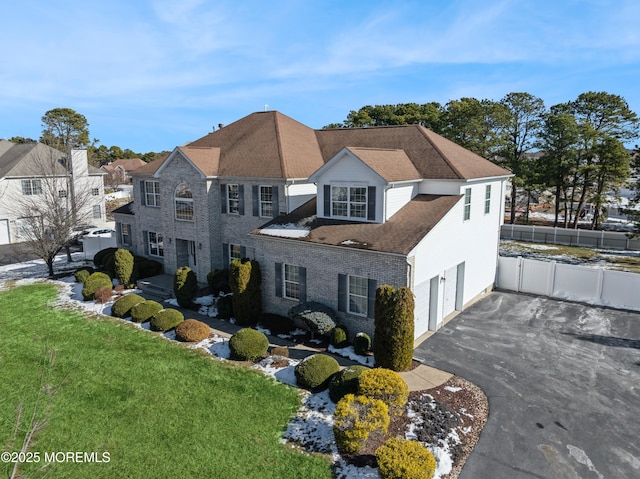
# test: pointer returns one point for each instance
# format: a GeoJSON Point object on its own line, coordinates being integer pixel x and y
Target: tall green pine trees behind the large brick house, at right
{"type": "Point", "coordinates": [574, 149]}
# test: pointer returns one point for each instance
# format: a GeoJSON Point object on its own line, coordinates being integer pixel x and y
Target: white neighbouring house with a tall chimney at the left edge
{"type": "Point", "coordinates": [32, 169]}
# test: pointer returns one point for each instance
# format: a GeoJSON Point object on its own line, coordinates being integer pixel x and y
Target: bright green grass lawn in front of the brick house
{"type": "Point", "coordinates": [159, 409]}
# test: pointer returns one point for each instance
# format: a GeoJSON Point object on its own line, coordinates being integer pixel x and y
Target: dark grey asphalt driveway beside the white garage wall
{"type": "Point", "coordinates": [563, 382]}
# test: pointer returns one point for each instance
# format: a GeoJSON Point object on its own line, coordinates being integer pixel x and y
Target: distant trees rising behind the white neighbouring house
{"type": "Point", "coordinates": [65, 129]}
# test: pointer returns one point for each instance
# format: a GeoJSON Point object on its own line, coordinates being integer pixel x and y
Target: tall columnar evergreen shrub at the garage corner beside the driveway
{"type": "Point", "coordinates": [394, 328]}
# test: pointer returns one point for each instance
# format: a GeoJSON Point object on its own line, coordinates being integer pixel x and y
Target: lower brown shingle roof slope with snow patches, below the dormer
{"type": "Point", "coordinates": [400, 234]}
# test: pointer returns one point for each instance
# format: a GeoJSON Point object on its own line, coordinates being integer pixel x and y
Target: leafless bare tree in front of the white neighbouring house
{"type": "Point", "coordinates": [48, 202]}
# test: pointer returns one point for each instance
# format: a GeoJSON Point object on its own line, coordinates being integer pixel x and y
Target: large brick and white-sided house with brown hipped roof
{"type": "Point", "coordinates": [329, 214]}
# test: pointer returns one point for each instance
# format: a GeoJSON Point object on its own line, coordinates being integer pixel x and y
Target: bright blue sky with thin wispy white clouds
{"type": "Point", "coordinates": [150, 75]}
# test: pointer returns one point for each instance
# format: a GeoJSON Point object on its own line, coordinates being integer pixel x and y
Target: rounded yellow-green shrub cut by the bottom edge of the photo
{"type": "Point", "coordinates": [405, 459]}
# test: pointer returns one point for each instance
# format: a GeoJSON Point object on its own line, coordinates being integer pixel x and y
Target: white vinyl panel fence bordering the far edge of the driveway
{"type": "Point", "coordinates": [617, 289]}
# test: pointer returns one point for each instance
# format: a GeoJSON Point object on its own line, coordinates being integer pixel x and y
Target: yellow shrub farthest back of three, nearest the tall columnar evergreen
{"type": "Point", "coordinates": [386, 385]}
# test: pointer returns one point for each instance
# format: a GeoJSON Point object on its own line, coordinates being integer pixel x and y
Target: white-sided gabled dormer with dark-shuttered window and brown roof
{"type": "Point", "coordinates": [358, 184]}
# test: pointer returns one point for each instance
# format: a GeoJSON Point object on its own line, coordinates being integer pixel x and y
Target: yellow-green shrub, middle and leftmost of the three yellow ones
{"type": "Point", "coordinates": [355, 418]}
